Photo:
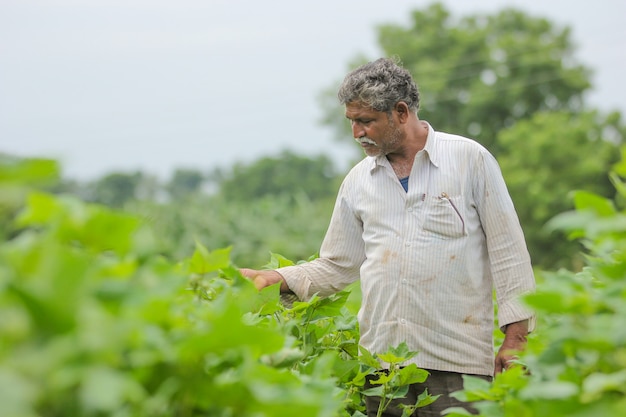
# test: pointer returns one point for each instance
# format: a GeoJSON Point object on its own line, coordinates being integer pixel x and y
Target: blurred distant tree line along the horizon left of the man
{"type": "Point", "coordinates": [284, 174]}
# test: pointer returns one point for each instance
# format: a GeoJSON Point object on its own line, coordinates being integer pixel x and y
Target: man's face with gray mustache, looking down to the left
{"type": "Point", "coordinates": [376, 131]}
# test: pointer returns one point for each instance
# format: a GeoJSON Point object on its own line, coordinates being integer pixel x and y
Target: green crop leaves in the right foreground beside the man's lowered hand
{"type": "Point", "coordinates": [577, 359]}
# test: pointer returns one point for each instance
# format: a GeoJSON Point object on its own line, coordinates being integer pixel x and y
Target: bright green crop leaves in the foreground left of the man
{"type": "Point", "coordinates": [96, 322]}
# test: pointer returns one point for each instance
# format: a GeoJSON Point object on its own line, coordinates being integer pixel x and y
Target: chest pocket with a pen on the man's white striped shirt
{"type": "Point", "coordinates": [444, 216]}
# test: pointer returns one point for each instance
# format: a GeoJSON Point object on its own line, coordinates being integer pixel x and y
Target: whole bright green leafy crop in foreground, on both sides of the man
{"type": "Point", "coordinates": [97, 322]}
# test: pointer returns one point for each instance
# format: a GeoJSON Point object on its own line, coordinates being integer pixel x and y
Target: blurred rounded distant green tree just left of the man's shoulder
{"type": "Point", "coordinates": [285, 174]}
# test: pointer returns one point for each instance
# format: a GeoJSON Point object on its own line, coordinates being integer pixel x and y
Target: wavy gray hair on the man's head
{"type": "Point", "coordinates": [380, 85]}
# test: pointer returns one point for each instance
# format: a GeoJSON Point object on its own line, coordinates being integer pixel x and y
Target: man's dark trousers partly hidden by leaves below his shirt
{"type": "Point", "coordinates": [437, 383]}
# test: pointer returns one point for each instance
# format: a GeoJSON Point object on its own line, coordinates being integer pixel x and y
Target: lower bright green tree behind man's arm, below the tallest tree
{"type": "Point", "coordinates": [545, 158]}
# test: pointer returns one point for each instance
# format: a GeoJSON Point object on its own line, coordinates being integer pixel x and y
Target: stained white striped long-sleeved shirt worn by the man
{"type": "Point", "coordinates": [428, 259]}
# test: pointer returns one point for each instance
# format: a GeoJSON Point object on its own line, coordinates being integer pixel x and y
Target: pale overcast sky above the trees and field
{"type": "Point", "coordinates": [121, 85]}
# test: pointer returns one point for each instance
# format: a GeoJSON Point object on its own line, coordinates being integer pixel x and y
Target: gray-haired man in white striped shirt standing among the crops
{"type": "Point", "coordinates": [426, 223]}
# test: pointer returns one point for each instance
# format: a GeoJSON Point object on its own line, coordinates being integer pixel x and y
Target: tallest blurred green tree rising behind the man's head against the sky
{"type": "Point", "coordinates": [481, 73]}
